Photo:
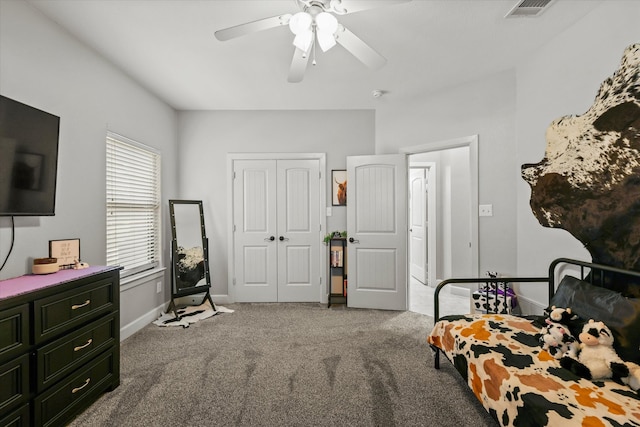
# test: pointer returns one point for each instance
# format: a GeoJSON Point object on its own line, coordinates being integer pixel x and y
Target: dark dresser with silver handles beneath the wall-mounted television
{"type": "Point", "coordinates": [59, 344]}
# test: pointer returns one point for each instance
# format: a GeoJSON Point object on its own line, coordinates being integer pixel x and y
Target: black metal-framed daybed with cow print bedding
{"type": "Point", "coordinates": [520, 384]}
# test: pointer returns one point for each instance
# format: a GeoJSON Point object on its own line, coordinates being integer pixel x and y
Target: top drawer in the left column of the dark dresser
{"type": "Point", "coordinates": [14, 331]}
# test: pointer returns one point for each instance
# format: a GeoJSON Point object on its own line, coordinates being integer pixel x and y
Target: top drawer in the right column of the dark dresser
{"type": "Point", "coordinates": [59, 313]}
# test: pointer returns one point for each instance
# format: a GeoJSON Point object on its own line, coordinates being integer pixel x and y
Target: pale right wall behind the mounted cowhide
{"type": "Point", "coordinates": [562, 79]}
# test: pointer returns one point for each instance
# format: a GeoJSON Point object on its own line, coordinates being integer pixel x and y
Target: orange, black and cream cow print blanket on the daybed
{"type": "Point", "coordinates": [519, 383]}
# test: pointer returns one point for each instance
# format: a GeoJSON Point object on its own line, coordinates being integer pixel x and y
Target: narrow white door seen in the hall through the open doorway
{"type": "Point", "coordinates": [417, 224]}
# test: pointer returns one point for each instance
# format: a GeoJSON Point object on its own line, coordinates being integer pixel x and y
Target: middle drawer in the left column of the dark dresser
{"type": "Point", "coordinates": [14, 383]}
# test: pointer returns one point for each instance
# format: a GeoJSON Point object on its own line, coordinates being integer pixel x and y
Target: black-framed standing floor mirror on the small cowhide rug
{"type": "Point", "coordinates": [189, 252]}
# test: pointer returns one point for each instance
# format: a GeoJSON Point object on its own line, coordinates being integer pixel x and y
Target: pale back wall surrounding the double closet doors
{"type": "Point", "coordinates": [207, 136]}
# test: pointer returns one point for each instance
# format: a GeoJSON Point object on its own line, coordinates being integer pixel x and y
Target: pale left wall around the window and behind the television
{"type": "Point", "coordinates": [43, 66]}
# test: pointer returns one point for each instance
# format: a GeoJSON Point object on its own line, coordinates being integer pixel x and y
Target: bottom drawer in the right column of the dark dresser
{"type": "Point", "coordinates": [69, 396]}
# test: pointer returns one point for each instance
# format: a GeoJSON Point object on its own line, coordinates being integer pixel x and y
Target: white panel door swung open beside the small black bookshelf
{"type": "Point", "coordinates": [377, 230]}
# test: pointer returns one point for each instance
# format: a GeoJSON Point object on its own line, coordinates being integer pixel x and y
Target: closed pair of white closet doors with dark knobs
{"type": "Point", "coordinates": [277, 230]}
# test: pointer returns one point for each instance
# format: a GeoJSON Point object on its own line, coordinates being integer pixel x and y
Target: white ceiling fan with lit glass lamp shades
{"type": "Point", "coordinates": [316, 23]}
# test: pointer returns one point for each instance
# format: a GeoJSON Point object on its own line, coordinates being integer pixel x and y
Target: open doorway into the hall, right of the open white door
{"type": "Point", "coordinates": [450, 242]}
